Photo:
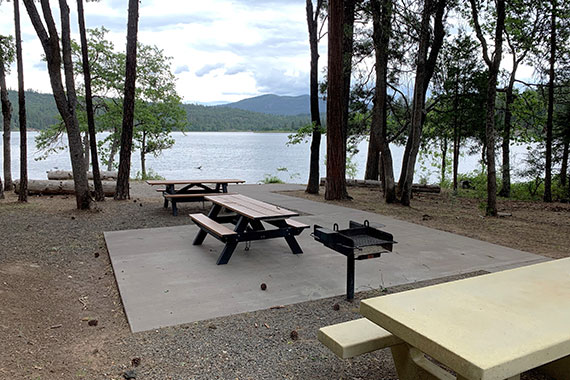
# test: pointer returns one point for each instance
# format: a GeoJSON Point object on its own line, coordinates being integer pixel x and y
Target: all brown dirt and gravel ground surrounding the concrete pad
{"type": "Point", "coordinates": [61, 316]}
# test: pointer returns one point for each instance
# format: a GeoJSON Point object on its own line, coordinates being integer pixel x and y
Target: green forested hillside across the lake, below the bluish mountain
{"type": "Point", "coordinates": [42, 112]}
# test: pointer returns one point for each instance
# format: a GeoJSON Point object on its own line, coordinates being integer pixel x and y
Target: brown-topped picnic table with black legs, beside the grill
{"type": "Point", "coordinates": [247, 215]}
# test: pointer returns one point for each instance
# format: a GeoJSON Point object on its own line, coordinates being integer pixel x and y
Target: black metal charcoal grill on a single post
{"type": "Point", "coordinates": [358, 242]}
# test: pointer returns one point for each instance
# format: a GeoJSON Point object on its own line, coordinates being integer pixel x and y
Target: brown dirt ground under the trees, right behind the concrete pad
{"type": "Point", "coordinates": [537, 227]}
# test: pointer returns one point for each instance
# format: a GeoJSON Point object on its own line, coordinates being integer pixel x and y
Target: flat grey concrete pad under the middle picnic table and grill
{"type": "Point", "coordinates": [164, 280]}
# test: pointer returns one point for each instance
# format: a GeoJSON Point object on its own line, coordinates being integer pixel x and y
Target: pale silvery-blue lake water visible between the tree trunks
{"type": "Point", "coordinates": [244, 155]}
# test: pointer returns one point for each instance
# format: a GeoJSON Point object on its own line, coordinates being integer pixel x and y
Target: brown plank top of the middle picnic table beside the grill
{"type": "Point", "coordinates": [250, 208]}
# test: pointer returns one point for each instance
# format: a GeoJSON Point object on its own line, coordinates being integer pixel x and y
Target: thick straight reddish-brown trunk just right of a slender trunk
{"type": "Point", "coordinates": [336, 181]}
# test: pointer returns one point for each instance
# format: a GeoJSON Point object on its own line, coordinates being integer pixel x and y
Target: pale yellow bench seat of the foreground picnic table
{"type": "Point", "coordinates": [357, 337]}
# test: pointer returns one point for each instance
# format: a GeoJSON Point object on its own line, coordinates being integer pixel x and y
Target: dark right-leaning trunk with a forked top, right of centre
{"type": "Point", "coordinates": [424, 72]}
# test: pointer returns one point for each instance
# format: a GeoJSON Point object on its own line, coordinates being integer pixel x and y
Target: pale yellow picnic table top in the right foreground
{"type": "Point", "coordinates": [487, 327]}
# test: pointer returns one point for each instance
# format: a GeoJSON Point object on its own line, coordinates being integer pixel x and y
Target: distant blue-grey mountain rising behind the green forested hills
{"type": "Point", "coordinates": [278, 105]}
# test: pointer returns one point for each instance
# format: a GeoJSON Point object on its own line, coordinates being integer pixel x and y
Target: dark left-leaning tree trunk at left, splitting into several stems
{"type": "Point", "coordinates": [65, 99]}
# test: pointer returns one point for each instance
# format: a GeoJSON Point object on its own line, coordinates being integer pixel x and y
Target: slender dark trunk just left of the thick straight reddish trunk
{"type": "Point", "coordinates": [312, 21]}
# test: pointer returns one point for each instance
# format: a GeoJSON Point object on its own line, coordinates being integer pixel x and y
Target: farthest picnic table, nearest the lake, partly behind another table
{"type": "Point", "coordinates": [191, 191]}
